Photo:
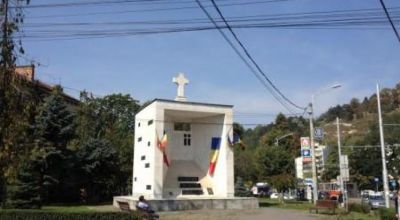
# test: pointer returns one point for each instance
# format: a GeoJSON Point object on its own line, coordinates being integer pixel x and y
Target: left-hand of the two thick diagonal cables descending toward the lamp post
{"type": "Point", "coordinates": [242, 58]}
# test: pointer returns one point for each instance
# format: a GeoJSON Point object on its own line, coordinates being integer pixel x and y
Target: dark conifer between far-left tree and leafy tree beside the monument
{"type": "Point", "coordinates": [42, 171]}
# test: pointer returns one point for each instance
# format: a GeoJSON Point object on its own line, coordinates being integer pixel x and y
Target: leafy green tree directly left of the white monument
{"type": "Point", "coordinates": [111, 118]}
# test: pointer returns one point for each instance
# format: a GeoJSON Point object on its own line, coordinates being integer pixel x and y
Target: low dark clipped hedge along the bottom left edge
{"type": "Point", "coordinates": [48, 215]}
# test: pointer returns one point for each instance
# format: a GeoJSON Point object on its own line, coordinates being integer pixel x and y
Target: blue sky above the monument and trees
{"type": "Point", "coordinates": [300, 62]}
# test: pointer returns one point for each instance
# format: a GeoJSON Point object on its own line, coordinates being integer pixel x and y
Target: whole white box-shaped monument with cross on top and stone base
{"type": "Point", "coordinates": [182, 157]}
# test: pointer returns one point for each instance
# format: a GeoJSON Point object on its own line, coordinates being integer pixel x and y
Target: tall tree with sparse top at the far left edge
{"type": "Point", "coordinates": [16, 99]}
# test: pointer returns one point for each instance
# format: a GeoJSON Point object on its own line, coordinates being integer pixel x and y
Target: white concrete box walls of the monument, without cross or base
{"type": "Point", "coordinates": [164, 114]}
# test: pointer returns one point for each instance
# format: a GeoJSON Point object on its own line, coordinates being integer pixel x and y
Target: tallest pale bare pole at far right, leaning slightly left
{"type": "Point", "coordinates": [384, 170]}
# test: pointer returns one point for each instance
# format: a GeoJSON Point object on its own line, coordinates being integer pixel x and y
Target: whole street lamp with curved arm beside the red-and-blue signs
{"type": "Point", "coordinates": [313, 166]}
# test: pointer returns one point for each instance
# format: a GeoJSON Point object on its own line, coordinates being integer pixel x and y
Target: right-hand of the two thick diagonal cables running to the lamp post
{"type": "Point", "coordinates": [251, 58]}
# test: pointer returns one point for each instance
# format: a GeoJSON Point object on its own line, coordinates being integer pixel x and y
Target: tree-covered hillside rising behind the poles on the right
{"type": "Point", "coordinates": [358, 118]}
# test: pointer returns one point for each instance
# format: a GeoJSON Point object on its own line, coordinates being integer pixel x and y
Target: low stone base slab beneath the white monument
{"type": "Point", "coordinates": [180, 204]}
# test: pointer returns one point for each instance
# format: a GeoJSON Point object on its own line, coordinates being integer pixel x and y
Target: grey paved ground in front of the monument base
{"type": "Point", "coordinates": [259, 214]}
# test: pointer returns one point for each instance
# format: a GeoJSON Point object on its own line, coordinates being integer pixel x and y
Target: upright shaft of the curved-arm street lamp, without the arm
{"type": "Point", "coordinates": [313, 164]}
